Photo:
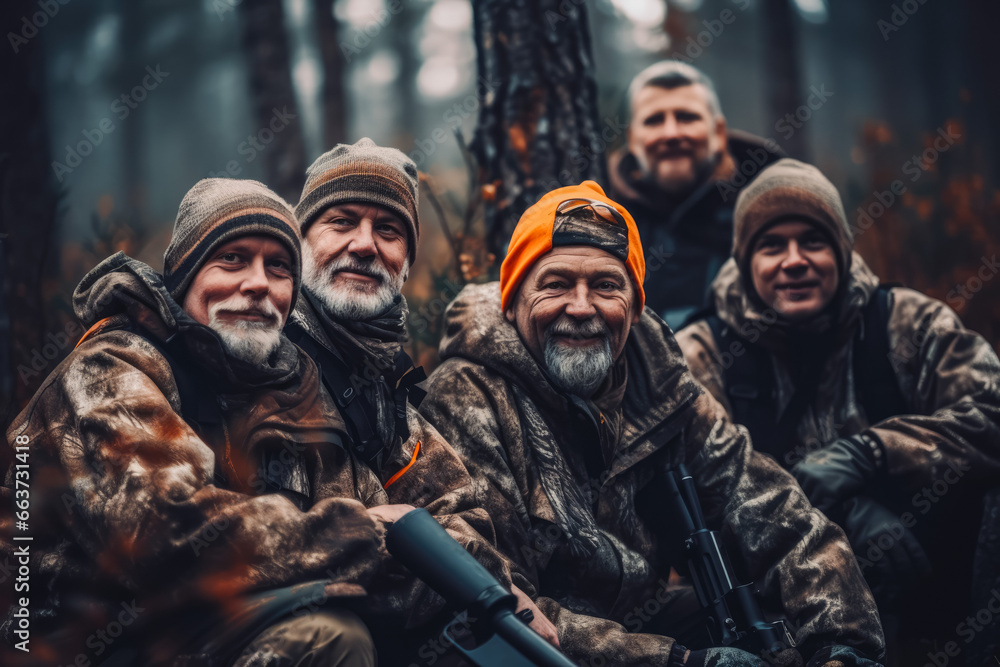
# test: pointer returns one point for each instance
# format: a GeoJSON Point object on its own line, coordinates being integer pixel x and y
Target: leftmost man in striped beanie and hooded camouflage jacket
{"type": "Point", "coordinates": [177, 450]}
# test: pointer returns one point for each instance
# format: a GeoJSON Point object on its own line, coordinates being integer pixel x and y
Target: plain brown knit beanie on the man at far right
{"type": "Point", "coordinates": [790, 190]}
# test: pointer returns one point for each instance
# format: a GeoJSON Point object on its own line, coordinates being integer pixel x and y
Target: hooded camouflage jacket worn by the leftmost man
{"type": "Point", "coordinates": [240, 508]}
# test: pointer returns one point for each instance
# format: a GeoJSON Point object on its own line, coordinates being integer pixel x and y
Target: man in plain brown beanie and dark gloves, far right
{"type": "Point", "coordinates": [880, 403]}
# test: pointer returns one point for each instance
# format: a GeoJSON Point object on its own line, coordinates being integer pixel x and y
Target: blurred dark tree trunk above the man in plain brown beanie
{"type": "Point", "coordinates": [783, 74]}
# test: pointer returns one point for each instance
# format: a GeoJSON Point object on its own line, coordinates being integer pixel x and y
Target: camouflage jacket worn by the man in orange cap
{"type": "Point", "coordinates": [595, 546]}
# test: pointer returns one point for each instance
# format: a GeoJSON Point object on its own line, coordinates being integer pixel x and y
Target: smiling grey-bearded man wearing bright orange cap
{"type": "Point", "coordinates": [567, 399]}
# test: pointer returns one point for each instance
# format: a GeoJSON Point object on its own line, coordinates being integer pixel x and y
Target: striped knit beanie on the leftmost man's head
{"type": "Point", "coordinates": [217, 210]}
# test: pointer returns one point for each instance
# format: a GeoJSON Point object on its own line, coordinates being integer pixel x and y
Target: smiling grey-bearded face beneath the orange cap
{"type": "Point", "coordinates": [574, 310]}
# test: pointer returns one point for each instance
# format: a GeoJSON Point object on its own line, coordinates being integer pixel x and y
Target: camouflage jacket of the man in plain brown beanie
{"type": "Point", "coordinates": [947, 374]}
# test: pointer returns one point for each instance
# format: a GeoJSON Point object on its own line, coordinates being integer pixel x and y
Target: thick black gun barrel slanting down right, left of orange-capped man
{"type": "Point", "coordinates": [421, 544]}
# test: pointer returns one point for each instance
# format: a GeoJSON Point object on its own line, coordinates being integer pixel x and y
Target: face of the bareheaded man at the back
{"type": "Point", "coordinates": [675, 137]}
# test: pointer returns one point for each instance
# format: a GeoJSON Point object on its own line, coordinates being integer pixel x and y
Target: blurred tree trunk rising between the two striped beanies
{"type": "Point", "coordinates": [278, 137]}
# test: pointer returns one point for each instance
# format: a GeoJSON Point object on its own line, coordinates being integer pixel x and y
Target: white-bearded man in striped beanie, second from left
{"type": "Point", "coordinates": [359, 223]}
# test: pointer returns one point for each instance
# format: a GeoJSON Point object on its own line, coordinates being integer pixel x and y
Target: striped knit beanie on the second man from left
{"type": "Point", "coordinates": [362, 173]}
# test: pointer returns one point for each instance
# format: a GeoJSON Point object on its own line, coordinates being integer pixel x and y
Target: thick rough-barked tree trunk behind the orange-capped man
{"type": "Point", "coordinates": [538, 126]}
